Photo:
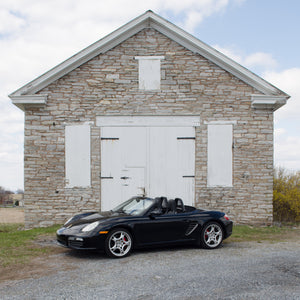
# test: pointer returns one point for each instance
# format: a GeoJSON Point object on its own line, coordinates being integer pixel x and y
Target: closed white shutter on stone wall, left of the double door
{"type": "Point", "coordinates": [77, 156]}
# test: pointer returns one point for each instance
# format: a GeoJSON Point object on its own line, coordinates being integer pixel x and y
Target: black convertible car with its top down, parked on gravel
{"type": "Point", "coordinates": [143, 222]}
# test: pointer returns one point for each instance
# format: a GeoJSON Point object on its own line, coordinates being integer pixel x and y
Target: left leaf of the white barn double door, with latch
{"type": "Point", "coordinates": [123, 164]}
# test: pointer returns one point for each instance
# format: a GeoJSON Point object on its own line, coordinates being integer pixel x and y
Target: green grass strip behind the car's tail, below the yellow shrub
{"type": "Point", "coordinates": [244, 233]}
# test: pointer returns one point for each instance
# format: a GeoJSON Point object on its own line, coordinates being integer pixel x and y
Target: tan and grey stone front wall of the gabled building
{"type": "Point", "coordinates": [108, 85]}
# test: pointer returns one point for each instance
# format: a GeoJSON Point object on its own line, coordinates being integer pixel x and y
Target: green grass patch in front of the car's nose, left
{"type": "Point", "coordinates": [16, 244]}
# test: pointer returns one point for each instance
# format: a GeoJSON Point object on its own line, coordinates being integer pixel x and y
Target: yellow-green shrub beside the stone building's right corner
{"type": "Point", "coordinates": [286, 196]}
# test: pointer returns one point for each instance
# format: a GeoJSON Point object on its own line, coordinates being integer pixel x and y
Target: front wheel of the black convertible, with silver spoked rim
{"type": "Point", "coordinates": [118, 243]}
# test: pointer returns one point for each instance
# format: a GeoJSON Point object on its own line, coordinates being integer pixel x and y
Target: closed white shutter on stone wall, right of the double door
{"type": "Point", "coordinates": [219, 157]}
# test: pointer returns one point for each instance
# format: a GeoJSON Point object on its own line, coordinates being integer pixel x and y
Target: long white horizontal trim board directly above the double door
{"type": "Point", "coordinates": [148, 121]}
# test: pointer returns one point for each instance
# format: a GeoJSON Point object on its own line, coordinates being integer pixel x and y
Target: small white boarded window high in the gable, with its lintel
{"type": "Point", "coordinates": [149, 72]}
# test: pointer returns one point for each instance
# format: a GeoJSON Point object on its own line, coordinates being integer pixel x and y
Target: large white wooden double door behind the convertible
{"type": "Point", "coordinates": [147, 161]}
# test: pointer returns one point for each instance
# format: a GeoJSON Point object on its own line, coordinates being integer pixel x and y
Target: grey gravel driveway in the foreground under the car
{"type": "Point", "coordinates": [235, 271]}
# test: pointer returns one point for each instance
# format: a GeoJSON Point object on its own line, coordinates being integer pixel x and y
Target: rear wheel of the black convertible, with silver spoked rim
{"type": "Point", "coordinates": [211, 235]}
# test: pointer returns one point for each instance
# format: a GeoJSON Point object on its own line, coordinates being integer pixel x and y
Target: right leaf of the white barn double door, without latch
{"type": "Point", "coordinates": [172, 163]}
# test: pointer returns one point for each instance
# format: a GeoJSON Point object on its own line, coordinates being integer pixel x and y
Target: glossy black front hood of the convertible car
{"type": "Point", "coordinates": [93, 217]}
